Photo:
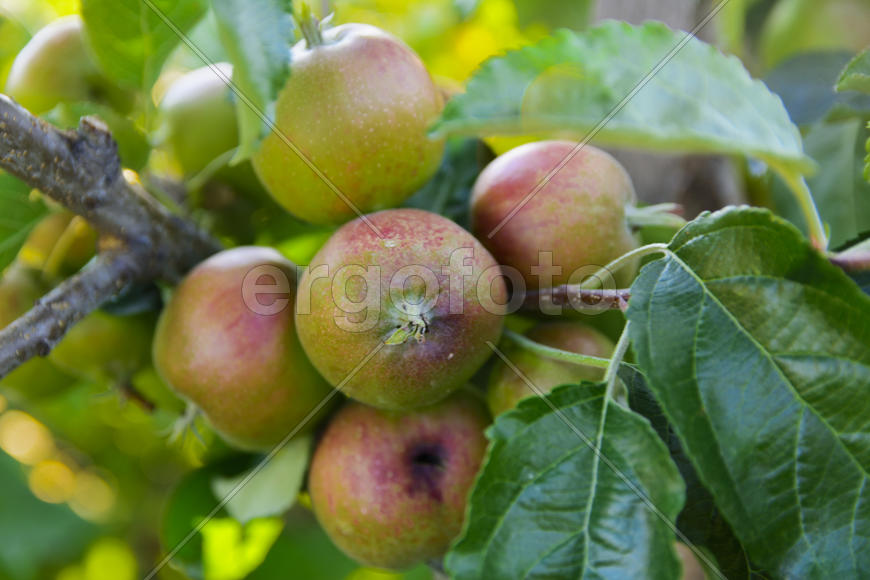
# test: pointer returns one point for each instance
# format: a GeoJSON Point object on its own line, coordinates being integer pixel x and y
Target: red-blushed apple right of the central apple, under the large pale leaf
{"type": "Point", "coordinates": [579, 215]}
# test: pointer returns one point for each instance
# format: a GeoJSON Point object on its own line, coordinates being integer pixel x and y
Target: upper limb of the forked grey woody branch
{"type": "Point", "coordinates": [81, 170]}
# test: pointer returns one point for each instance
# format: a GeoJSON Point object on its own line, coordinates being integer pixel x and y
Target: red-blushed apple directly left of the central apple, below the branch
{"type": "Point", "coordinates": [246, 371]}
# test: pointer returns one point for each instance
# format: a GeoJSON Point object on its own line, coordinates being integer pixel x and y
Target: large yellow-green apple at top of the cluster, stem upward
{"type": "Point", "coordinates": [358, 107]}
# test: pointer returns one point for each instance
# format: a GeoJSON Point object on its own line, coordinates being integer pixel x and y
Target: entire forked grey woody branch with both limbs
{"type": "Point", "coordinates": [139, 239]}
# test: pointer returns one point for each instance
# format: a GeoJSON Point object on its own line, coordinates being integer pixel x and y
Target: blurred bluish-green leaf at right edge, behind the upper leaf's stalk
{"type": "Point", "coordinates": [839, 190]}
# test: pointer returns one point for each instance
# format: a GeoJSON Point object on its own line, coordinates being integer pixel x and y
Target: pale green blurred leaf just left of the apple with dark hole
{"type": "Point", "coordinates": [270, 491]}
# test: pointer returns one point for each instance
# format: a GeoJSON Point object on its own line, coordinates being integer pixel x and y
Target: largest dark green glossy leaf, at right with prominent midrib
{"type": "Point", "coordinates": [756, 348]}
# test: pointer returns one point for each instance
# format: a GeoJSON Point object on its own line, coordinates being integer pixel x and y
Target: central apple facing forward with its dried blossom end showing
{"type": "Point", "coordinates": [420, 370]}
